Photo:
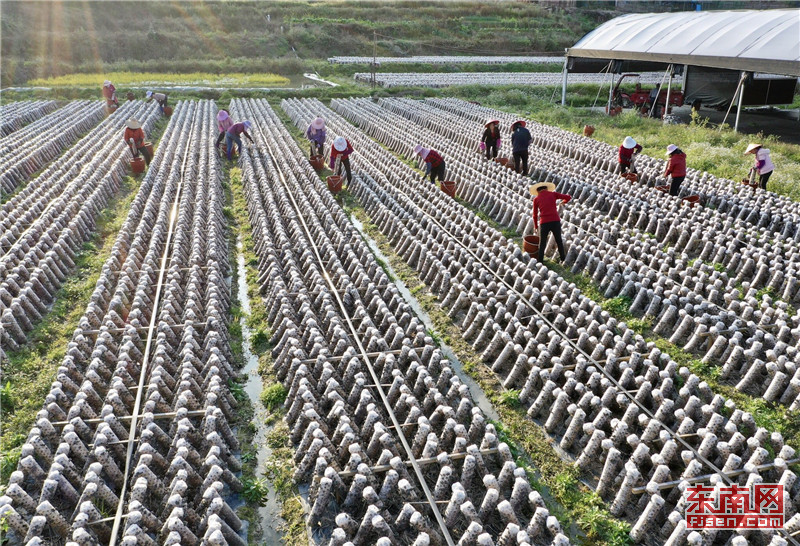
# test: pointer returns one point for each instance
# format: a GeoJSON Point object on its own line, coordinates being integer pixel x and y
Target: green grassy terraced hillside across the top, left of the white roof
{"type": "Point", "coordinates": [46, 39]}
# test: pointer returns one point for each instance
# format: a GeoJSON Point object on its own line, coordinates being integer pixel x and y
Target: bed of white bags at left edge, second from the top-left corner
{"type": "Point", "coordinates": [24, 152]}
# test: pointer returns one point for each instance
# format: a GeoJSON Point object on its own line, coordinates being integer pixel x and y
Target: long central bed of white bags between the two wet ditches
{"type": "Point", "coordinates": [362, 487]}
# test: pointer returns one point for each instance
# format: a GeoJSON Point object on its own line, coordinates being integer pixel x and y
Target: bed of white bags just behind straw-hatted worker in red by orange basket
{"type": "Point", "coordinates": [616, 236]}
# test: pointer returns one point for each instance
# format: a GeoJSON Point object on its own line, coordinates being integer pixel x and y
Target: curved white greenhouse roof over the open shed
{"type": "Point", "coordinates": [751, 40]}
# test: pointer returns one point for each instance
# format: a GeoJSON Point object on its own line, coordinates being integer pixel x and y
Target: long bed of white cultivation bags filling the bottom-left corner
{"type": "Point", "coordinates": [136, 423]}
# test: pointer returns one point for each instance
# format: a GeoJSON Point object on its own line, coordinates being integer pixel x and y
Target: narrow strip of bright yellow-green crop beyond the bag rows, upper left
{"type": "Point", "coordinates": [139, 78]}
